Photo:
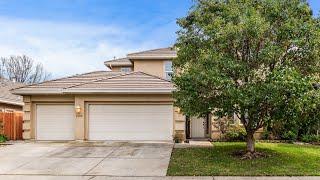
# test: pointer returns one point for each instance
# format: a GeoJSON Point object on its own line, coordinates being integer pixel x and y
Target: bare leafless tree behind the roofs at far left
{"type": "Point", "coordinates": [22, 69]}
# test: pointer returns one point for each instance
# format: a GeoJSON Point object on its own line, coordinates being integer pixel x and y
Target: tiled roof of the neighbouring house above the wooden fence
{"type": "Point", "coordinates": [6, 96]}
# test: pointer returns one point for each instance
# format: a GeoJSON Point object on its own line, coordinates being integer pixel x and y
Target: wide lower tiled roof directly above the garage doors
{"type": "Point", "coordinates": [101, 82]}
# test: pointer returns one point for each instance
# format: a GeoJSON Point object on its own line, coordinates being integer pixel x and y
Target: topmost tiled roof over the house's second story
{"type": "Point", "coordinates": [161, 53]}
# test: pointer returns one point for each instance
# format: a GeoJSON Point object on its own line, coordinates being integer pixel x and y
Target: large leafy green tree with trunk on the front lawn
{"type": "Point", "coordinates": [256, 59]}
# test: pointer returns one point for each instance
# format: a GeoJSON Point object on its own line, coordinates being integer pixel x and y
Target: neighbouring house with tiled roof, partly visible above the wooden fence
{"type": "Point", "coordinates": [8, 101]}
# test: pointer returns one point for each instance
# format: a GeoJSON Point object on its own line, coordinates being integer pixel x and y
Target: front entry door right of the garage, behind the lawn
{"type": "Point", "coordinates": [198, 127]}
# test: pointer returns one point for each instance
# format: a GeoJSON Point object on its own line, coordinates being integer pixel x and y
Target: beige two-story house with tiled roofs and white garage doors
{"type": "Point", "coordinates": [133, 101]}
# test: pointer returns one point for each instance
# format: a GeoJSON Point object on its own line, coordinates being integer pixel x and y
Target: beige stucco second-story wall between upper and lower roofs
{"type": "Point", "coordinates": [153, 67]}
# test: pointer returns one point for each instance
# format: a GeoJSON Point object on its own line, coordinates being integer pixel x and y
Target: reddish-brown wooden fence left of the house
{"type": "Point", "coordinates": [11, 125]}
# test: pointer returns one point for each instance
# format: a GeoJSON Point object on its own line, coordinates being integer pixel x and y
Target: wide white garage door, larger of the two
{"type": "Point", "coordinates": [130, 122]}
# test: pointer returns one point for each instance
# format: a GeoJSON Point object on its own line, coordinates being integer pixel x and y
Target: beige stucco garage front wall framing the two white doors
{"type": "Point", "coordinates": [81, 120]}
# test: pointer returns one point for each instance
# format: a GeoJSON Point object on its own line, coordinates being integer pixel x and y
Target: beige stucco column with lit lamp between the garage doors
{"type": "Point", "coordinates": [80, 118]}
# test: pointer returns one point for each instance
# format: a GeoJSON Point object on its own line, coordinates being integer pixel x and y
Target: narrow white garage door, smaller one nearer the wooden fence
{"type": "Point", "coordinates": [55, 122]}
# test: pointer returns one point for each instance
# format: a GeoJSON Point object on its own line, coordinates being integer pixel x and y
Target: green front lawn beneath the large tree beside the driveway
{"type": "Point", "coordinates": [286, 159]}
